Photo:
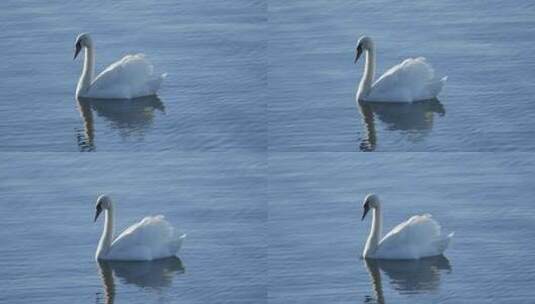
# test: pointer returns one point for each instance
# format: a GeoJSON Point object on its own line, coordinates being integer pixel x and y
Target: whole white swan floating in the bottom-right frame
{"type": "Point", "coordinates": [418, 237]}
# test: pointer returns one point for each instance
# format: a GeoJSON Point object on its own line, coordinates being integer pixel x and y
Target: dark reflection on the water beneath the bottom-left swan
{"type": "Point", "coordinates": [153, 275]}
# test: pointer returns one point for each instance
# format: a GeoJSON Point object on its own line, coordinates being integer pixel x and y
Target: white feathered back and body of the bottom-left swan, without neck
{"type": "Point", "coordinates": [151, 238]}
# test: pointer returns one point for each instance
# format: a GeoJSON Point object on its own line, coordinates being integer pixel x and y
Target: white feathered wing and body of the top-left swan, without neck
{"type": "Point", "coordinates": [130, 77]}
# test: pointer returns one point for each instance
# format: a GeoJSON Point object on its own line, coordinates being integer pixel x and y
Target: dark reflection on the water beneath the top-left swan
{"type": "Point", "coordinates": [129, 116]}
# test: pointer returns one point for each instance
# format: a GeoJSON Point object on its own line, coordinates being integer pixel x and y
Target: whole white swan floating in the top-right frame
{"type": "Point", "coordinates": [411, 80]}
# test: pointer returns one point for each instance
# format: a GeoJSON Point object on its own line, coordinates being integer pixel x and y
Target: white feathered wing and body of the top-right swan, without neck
{"type": "Point", "coordinates": [411, 80]}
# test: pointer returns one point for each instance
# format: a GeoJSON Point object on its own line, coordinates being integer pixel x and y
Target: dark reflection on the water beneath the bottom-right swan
{"type": "Point", "coordinates": [406, 276]}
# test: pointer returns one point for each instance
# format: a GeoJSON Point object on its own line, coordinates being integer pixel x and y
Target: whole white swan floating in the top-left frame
{"type": "Point", "coordinates": [130, 77]}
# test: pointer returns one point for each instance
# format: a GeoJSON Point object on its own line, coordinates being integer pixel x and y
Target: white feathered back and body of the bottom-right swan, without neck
{"type": "Point", "coordinates": [418, 237]}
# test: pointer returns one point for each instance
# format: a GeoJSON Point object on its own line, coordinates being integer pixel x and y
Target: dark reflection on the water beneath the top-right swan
{"type": "Point", "coordinates": [415, 118]}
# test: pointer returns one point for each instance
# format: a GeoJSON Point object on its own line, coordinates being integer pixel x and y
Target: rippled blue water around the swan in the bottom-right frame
{"type": "Point", "coordinates": [316, 234]}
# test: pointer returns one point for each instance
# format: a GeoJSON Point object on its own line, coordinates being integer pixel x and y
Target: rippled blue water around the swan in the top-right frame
{"type": "Point", "coordinates": [484, 47]}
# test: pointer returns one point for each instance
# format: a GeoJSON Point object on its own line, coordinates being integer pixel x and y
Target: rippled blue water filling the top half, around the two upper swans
{"type": "Point", "coordinates": [278, 75]}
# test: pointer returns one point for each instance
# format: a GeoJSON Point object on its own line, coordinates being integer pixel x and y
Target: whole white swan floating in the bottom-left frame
{"type": "Point", "coordinates": [152, 238]}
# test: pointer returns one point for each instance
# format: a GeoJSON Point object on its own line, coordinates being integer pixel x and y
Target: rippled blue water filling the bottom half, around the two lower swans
{"type": "Point", "coordinates": [285, 229]}
